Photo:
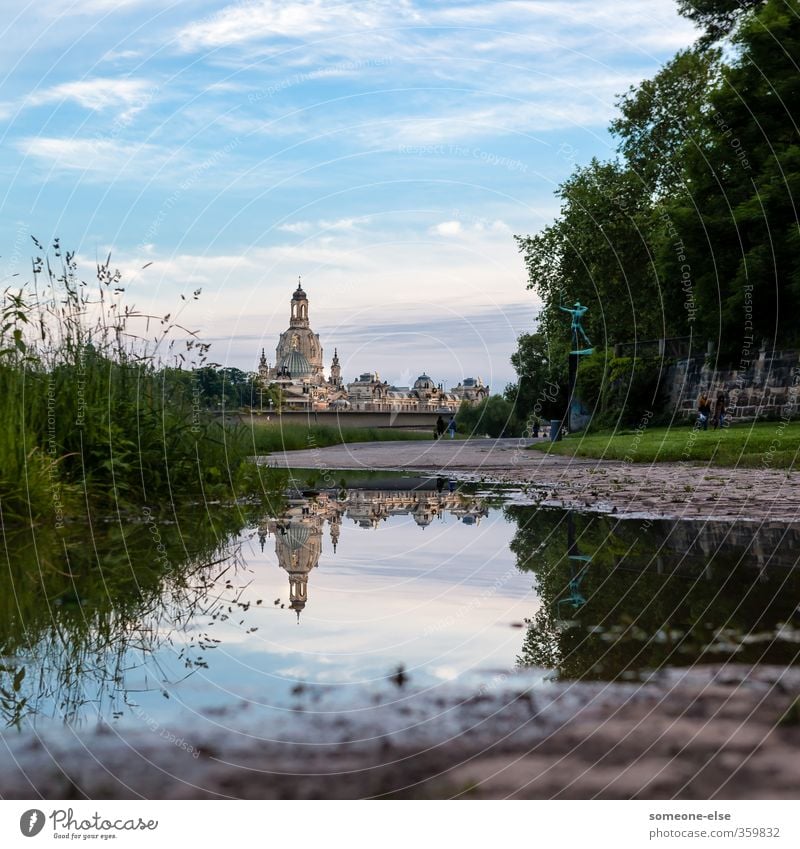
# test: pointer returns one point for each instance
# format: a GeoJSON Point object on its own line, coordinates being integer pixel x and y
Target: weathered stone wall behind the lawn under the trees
{"type": "Point", "coordinates": [768, 386]}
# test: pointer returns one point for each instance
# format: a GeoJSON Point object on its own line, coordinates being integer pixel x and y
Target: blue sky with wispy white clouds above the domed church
{"type": "Point", "coordinates": [387, 152]}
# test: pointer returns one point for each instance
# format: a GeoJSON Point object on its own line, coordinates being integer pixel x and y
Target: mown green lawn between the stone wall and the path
{"type": "Point", "coordinates": [749, 445]}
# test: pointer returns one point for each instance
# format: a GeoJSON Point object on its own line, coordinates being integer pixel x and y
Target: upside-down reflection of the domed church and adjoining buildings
{"type": "Point", "coordinates": [299, 529]}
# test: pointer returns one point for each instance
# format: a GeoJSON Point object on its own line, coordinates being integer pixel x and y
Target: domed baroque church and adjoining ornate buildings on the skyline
{"type": "Point", "coordinates": [299, 372]}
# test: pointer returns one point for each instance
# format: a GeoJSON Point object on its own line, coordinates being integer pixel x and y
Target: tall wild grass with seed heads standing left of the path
{"type": "Point", "coordinates": [91, 416]}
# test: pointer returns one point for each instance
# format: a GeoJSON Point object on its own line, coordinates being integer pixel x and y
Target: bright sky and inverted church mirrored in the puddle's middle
{"type": "Point", "coordinates": [420, 580]}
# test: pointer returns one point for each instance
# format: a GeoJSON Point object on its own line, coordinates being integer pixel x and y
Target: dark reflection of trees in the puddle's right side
{"type": "Point", "coordinates": [622, 598]}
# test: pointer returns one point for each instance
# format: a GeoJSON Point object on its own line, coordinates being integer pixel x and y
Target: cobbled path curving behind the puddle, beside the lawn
{"type": "Point", "coordinates": [672, 490]}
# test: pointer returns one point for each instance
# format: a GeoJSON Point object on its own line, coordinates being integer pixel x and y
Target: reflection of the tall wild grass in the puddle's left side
{"type": "Point", "coordinates": [83, 609]}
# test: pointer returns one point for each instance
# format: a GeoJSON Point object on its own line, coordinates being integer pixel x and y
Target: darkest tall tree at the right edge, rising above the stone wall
{"type": "Point", "coordinates": [738, 218]}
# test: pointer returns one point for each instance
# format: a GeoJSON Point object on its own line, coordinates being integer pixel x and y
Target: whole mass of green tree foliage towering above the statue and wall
{"type": "Point", "coordinates": [694, 229]}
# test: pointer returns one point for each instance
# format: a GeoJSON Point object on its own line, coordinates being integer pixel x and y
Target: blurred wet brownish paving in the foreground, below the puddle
{"type": "Point", "coordinates": [710, 732]}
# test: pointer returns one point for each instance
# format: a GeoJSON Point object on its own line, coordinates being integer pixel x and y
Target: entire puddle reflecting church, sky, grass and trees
{"type": "Point", "coordinates": [189, 614]}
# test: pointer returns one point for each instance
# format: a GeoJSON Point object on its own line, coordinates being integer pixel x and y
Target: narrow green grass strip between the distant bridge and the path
{"type": "Point", "coordinates": [266, 438]}
